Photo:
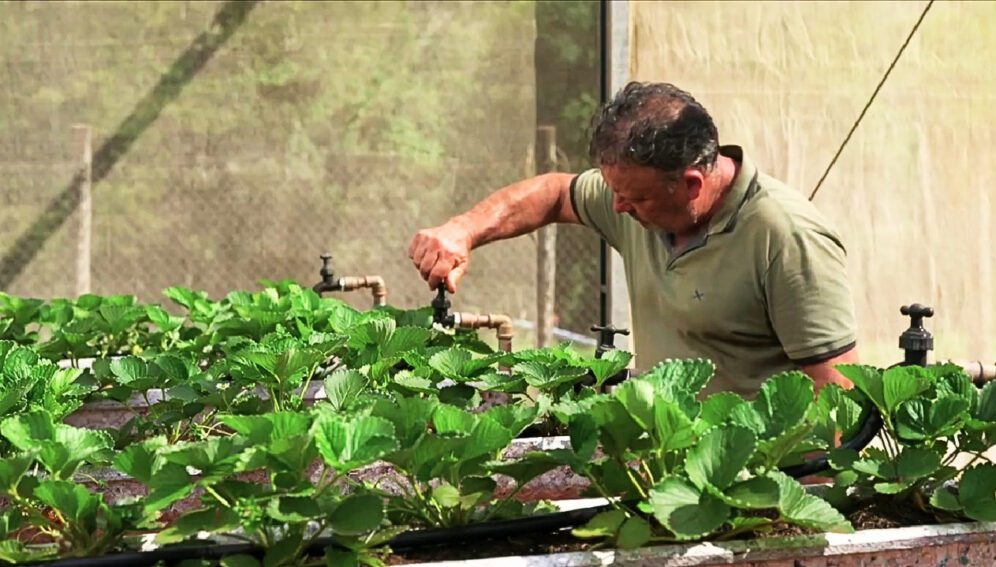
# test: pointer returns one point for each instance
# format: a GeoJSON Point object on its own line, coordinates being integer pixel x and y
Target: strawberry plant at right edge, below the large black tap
{"type": "Point", "coordinates": [931, 417]}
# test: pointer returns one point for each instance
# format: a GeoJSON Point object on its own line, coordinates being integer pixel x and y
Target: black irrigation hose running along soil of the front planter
{"type": "Point", "coordinates": [545, 523]}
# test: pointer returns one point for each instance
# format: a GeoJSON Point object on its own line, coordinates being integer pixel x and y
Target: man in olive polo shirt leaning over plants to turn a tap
{"type": "Point", "coordinates": [722, 262]}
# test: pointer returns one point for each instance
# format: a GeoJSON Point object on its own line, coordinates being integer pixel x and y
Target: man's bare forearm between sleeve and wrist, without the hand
{"type": "Point", "coordinates": [518, 209]}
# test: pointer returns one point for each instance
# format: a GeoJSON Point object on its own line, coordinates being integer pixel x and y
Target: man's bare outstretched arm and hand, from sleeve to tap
{"type": "Point", "coordinates": [442, 253]}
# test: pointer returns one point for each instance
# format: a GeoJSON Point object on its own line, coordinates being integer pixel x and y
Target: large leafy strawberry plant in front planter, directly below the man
{"type": "Point", "coordinates": [686, 469]}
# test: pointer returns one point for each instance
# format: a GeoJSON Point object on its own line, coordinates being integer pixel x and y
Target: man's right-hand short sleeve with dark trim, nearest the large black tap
{"type": "Point", "coordinates": [809, 297]}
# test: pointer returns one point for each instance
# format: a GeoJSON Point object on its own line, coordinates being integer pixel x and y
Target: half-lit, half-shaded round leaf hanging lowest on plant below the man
{"type": "Point", "coordinates": [684, 510]}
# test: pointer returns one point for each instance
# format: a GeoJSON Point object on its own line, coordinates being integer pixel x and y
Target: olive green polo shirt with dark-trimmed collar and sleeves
{"type": "Point", "coordinates": [763, 289]}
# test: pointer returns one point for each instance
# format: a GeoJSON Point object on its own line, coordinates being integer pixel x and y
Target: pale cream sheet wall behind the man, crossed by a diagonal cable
{"type": "Point", "coordinates": [912, 193]}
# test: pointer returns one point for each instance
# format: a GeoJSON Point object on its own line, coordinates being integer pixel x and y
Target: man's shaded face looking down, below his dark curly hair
{"type": "Point", "coordinates": [655, 200]}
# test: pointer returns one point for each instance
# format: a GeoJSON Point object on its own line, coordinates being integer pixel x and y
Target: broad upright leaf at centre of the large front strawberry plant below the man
{"type": "Point", "coordinates": [719, 456]}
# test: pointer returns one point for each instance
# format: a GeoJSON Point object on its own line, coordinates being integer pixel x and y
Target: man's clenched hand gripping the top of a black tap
{"type": "Point", "coordinates": [441, 254]}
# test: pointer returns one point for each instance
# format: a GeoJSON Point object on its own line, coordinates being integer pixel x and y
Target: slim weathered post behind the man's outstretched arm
{"type": "Point", "coordinates": [546, 256]}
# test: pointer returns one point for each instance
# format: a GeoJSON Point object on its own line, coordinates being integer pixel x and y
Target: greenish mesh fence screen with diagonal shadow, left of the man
{"type": "Point", "coordinates": [291, 129]}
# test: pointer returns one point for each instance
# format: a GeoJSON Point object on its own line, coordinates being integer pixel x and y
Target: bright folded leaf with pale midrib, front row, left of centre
{"type": "Point", "coordinates": [347, 444]}
